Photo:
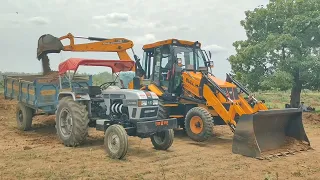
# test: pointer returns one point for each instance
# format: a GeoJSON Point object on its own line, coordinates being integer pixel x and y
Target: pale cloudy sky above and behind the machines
{"type": "Point", "coordinates": [214, 23]}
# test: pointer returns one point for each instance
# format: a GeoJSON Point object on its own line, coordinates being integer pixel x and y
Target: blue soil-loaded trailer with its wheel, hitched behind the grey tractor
{"type": "Point", "coordinates": [37, 94]}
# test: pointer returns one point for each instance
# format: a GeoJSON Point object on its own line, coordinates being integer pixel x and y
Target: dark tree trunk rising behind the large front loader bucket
{"type": "Point", "coordinates": [296, 91]}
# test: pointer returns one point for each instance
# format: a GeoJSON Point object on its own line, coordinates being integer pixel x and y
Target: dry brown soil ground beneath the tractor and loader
{"type": "Point", "coordinates": [38, 154]}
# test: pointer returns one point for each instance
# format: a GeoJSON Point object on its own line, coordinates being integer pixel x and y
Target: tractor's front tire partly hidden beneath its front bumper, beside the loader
{"type": "Point", "coordinates": [162, 140]}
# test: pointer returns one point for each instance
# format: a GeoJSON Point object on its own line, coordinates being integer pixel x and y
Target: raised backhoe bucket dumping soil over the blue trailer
{"type": "Point", "coordinates": [48, 44]}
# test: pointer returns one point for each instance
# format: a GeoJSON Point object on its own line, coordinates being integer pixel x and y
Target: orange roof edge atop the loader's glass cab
{"type": "Point", "coordinates": [170, 41]}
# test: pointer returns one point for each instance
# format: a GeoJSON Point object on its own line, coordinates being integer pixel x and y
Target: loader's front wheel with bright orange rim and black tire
{"type": "Point", "coordinates": [203, 118]}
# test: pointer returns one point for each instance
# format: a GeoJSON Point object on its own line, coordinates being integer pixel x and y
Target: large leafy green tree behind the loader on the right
{"type": "Point", "coordinates": [283, 39]}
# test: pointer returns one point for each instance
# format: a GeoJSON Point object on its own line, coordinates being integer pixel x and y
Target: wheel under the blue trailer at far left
{"type": "Point", "coordinates": [23, 117]}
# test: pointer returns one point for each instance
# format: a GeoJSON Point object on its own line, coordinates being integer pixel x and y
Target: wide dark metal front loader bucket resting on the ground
{"type": "Point", "coordinates": [269, 132]}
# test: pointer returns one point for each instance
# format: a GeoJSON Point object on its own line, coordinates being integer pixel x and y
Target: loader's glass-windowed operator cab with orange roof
{"type": "Point", "coordinates": [164, 61]}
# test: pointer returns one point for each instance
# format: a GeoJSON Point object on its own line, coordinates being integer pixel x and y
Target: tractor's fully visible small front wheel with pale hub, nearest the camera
{"type": "Point", "coordinates": [112, 132]}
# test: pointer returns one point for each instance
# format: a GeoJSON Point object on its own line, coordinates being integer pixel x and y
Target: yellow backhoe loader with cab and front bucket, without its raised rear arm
{"type": "Point", "coordinates": [178, 72]}
